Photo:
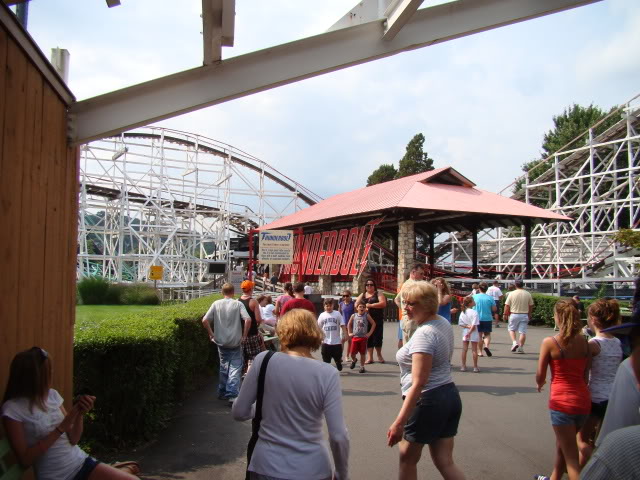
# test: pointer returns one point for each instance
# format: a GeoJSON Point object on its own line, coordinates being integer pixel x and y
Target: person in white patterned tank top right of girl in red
{"type": "Point", "coordinates": [606, 353]}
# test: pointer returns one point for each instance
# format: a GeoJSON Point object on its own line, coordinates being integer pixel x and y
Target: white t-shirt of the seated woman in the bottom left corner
{"type": "Point", "coordinates": [62, 460]}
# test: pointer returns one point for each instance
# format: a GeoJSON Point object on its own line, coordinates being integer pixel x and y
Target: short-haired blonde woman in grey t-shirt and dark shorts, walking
{"type": "Point", "coordinates": [432, 407]}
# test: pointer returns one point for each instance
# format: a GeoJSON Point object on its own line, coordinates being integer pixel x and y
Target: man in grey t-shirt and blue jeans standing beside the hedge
{"type": "Point", "coordinates": [227, 323]}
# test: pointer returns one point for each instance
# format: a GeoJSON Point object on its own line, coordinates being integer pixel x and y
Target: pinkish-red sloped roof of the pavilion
{"type": "Point", "coordinates": [441, 200]}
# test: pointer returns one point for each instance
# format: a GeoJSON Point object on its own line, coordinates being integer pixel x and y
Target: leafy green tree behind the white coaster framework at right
{"type": "Point", "coordinates": [570, 131]}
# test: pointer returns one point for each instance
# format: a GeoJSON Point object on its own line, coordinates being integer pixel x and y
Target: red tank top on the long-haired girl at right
{"type": "Point", "coordinates": [569, 391]}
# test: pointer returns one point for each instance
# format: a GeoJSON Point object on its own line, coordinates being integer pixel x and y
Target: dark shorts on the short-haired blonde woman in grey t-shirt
{"type": "Point", "coordinates": [436, 415]}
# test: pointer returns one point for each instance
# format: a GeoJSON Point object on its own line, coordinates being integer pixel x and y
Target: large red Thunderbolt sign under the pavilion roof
{"type": "Point", "coordinates": [334, 252]}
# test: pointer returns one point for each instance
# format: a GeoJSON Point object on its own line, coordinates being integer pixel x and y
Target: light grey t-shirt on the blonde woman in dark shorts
{"type": "Point", "coordinates": [434, 337]}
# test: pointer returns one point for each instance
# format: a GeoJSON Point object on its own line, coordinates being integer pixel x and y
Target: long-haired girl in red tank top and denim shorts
{"type": "Point", "coordinates": [568, 356]}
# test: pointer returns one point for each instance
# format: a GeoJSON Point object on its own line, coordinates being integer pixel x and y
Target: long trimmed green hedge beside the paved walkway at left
{"type": "Point", "coordinates": [138, 366]}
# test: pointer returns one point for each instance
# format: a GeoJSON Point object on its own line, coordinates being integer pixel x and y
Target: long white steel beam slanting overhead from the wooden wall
{"type": "Point", "coordinates": [240, 76]}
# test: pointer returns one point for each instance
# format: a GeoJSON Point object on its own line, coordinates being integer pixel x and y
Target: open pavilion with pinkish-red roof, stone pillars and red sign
{"type": "Point", "coordinates": [430, 203]}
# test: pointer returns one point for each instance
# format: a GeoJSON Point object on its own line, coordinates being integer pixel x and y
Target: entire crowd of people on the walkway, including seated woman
{"type": "Point", "coordinates": [593, 402]}
